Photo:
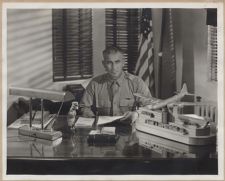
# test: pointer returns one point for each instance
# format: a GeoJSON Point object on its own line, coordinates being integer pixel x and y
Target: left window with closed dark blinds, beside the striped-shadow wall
{"type": "Point", "coordinates": [72, 44]}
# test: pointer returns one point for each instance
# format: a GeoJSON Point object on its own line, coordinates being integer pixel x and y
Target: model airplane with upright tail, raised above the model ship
{"type": "Point", "coordinates": [159, 103]}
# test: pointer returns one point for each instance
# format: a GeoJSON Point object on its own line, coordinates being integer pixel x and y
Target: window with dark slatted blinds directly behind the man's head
{"type": "Point", "coordinates": [122, 30]}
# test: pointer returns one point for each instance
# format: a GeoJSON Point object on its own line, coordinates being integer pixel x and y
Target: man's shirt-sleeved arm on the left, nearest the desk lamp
{"type": "Point", "coordinates": [87, 101]}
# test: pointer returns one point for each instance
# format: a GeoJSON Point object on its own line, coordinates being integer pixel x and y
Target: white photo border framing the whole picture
{"type": "Point", "coordinates": [220, 100]}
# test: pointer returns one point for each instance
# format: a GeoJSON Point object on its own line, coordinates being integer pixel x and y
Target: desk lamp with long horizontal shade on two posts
{"type": "Point", "coordinates": [42, 94]}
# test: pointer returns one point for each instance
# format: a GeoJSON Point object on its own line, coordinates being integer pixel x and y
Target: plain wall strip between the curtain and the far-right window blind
{"type": "Point", "coordinates": [203, 87]}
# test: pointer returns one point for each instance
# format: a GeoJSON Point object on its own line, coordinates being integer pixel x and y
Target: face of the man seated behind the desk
{"type": "Point", "coordinates": [113, 64]}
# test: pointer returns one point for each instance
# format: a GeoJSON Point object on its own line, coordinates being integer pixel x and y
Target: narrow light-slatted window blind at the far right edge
{"type": "Point", "coordinates": [212, 52]}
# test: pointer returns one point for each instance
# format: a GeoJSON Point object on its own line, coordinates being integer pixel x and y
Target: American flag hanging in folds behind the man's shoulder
{"type": "Point", "coordinates": [145, 67]}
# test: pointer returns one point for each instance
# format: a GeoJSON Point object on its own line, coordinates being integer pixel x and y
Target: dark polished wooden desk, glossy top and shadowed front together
{"type": "Point", "coordinates": [134, 153]}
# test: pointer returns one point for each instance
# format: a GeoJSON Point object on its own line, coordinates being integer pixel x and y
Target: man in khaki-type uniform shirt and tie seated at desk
{"type": "Point", "coordinates": [112, 94]}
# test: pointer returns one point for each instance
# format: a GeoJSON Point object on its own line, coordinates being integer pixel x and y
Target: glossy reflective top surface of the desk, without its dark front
{"type": "Point", "coordinates": [131, 144]}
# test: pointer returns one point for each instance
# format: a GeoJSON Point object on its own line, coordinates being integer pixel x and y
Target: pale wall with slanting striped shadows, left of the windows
{"type": "Point", "coordinates": [29, 48]}
